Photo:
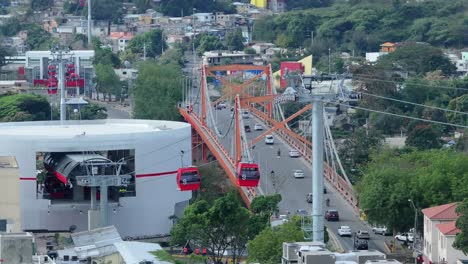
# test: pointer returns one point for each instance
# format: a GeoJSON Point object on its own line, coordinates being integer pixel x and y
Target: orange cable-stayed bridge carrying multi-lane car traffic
{"type": "Point", "coordinates": [241, 122]}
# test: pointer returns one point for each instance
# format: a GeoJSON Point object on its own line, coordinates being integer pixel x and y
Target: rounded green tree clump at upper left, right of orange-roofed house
{"type": "Point", "coordinates": [154, 41]}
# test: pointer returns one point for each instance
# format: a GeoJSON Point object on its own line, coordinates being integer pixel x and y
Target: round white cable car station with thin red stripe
{"type": "Point", "coordinates": [57, 163]}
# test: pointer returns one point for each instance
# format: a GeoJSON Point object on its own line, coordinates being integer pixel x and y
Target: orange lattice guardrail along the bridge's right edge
{"type": "Point", "coordinates": [330, 175]}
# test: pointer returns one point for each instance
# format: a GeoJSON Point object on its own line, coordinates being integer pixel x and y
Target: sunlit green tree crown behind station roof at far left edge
{"type": "Point", "coordinates": [23, 107]}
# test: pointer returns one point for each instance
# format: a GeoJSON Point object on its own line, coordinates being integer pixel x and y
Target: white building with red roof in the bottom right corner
{"type": "Point", "coordinates": [439, 234]}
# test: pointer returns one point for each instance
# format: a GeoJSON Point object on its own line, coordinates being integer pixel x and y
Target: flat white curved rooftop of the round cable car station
{"type": "Point", "coordinates": [71, 128]}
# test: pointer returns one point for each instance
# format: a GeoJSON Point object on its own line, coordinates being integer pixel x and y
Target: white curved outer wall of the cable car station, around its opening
{"type": "Point", "coordinates": [146, 214]}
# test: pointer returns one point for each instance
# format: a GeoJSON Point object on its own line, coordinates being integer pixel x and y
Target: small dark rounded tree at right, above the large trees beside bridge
{"type": "Point", "coordinates": [423, 137]}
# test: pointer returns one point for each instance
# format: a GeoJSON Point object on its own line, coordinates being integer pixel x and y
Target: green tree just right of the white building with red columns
{"type": "Point", "coordinates": [107, 81]}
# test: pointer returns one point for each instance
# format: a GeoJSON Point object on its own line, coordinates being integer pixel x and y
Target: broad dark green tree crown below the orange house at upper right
{"type": "Point", "coordinates": [417, 59]}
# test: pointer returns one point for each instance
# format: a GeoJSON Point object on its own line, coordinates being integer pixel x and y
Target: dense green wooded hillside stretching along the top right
{"type": "Point", "coordinates": [361, 26]}
